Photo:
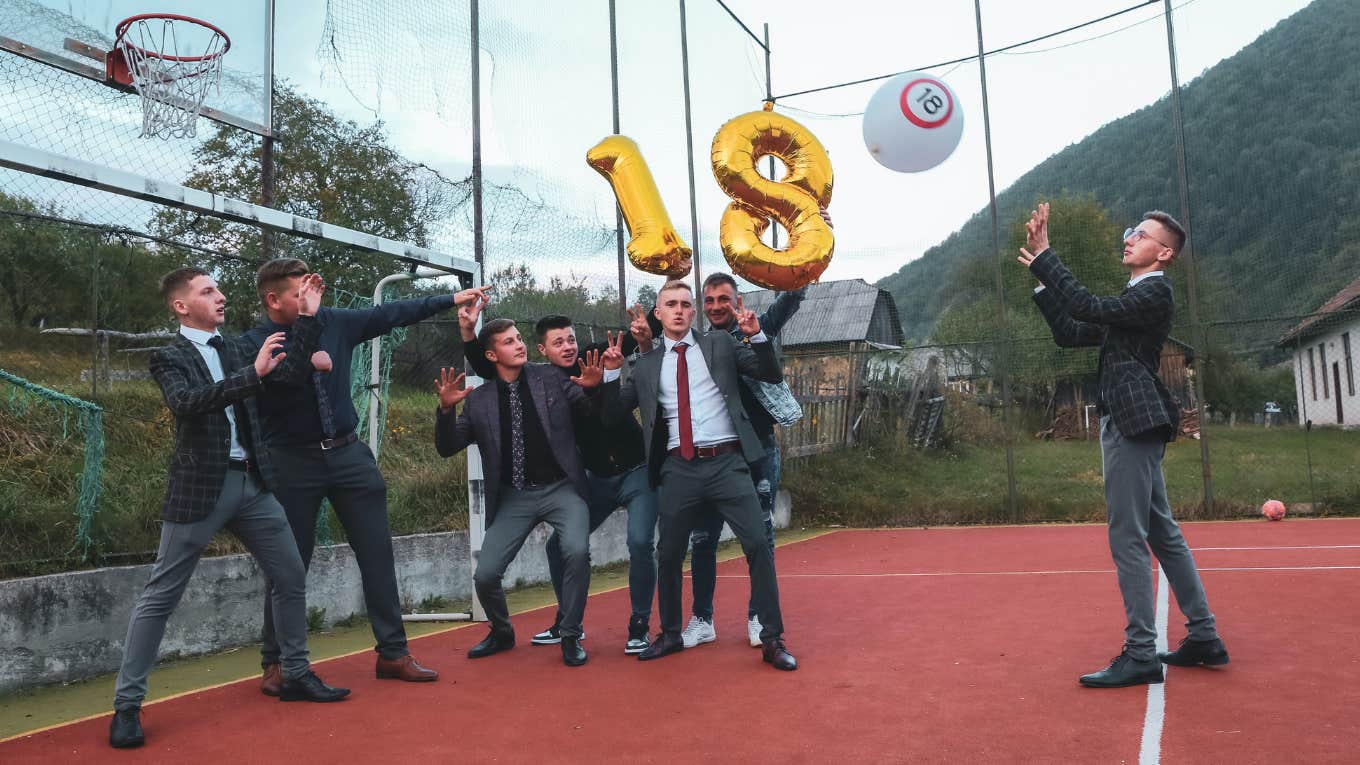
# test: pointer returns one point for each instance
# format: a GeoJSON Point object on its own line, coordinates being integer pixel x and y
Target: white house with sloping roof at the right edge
{"type": "Point", "coordinates": [1325, 346]}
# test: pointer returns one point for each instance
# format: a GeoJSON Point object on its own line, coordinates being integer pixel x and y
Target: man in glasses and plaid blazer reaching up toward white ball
{"type": "Point", "coordinates": [1138, 420]}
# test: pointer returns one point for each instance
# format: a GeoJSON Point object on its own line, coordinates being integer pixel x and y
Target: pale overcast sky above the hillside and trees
{"type": "Point", "coordinates": [547, 97]}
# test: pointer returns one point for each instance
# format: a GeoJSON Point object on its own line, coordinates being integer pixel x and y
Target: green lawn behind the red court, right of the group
{"type": "Point", "coordinates": [1060, 481]}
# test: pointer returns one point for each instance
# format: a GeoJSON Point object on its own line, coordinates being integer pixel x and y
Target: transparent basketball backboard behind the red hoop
{"type": "Point", "coordinates": [75, 36]}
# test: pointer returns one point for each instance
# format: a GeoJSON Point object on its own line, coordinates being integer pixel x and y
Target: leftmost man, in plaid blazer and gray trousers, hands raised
{"type": "Point", "coordinates": [218, 480]}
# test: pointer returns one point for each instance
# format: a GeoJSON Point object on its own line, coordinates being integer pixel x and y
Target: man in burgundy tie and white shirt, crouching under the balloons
{"type": "Point", "coordinates": [700, 442]}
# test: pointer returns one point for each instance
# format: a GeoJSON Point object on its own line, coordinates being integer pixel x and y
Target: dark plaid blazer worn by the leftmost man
{"type": "Point", "coordinates": [203, 434]}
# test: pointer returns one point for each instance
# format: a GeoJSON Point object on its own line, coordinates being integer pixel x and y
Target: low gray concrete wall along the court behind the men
{"type": "Point", "coordinates": [71, 627]}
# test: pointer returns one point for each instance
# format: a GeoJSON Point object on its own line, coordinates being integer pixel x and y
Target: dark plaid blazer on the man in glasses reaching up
{"type": "Point", "coordinates": [1129, 329]}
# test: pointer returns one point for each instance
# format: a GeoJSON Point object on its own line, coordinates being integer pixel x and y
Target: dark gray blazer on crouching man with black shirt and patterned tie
{"type": "Point", "coordinates": [557, 401]}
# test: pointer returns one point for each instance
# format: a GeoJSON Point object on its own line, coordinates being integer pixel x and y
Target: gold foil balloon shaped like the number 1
{"type": "Point", "coordinates": [655, 247]}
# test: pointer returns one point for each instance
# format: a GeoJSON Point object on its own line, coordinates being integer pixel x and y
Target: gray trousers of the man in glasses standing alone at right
{"type": "Point", "coordinates": [1140, 519]}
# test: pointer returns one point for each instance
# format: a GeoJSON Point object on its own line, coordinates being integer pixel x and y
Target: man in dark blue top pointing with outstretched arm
{"type": "Point", "coordinates": [311, 431]}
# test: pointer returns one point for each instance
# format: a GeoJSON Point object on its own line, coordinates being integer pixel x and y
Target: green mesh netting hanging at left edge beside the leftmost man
{"type": "Point", "coordinates": [89, 416]}
